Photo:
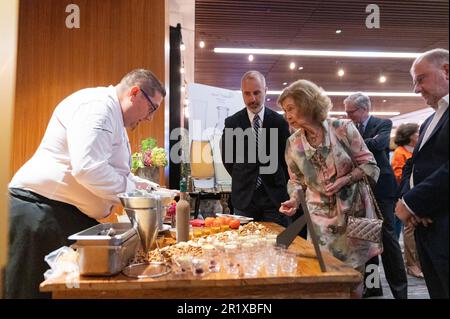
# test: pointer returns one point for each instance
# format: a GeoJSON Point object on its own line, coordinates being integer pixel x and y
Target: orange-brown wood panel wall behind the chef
{"type": "Point", "coordinates": [115, 36]}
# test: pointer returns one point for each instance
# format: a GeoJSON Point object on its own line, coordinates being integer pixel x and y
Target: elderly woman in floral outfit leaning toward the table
{"type": "Point", "coordinates": [320, 158]}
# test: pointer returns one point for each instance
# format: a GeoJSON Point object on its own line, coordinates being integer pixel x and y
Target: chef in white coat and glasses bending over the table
{"type": "Point", "coordinates": [74, 176]}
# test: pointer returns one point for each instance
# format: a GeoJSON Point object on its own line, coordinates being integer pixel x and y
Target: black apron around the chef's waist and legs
{"type": "Point", "coordinates": [37, 226]}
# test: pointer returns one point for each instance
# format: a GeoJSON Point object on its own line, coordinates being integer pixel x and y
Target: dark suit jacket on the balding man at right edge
{"type": "Point", "coordinates": [429, 196]}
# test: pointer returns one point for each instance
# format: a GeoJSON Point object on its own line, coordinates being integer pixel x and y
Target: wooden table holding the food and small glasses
{"type": "Point", "coordinates": [307, 282]}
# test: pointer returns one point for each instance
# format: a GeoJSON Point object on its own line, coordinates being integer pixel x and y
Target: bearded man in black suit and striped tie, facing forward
{"type": "Point", "coordinates": [253, 145]}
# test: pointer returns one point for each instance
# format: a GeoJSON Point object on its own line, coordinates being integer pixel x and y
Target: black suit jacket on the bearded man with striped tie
{"type": "Point", "coordinates": [244, 174]}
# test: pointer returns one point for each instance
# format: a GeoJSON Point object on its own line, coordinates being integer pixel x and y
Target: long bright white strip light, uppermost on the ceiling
{"type": "Point", "coordinates": [357, 54]}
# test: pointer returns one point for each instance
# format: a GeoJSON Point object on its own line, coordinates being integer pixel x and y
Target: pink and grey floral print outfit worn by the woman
{"type": "Point", "coordinates": [311, 169]}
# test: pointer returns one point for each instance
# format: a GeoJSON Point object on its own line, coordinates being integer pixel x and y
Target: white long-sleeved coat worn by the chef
{"type": "Point", "coordinates": [84, 157]}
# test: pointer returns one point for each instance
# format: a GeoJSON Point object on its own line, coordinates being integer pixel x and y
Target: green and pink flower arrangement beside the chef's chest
{"type": "Point", "coordinates": [149, 156]}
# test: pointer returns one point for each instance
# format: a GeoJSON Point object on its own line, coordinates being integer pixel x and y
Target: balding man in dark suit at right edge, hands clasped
{"type": "Point", "coordinates": [424, 201]}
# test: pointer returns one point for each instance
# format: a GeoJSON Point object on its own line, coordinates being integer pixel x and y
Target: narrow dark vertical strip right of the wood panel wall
{"type": "Point", "coordinates": [174, 99]}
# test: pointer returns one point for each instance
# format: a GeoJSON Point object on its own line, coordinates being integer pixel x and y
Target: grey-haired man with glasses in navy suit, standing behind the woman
{"type": "Point", "coordinates": [376, 134]}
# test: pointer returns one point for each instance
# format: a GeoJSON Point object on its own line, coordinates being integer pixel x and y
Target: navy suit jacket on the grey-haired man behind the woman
{"type": "Point", "coordinates": [377, 134]}
